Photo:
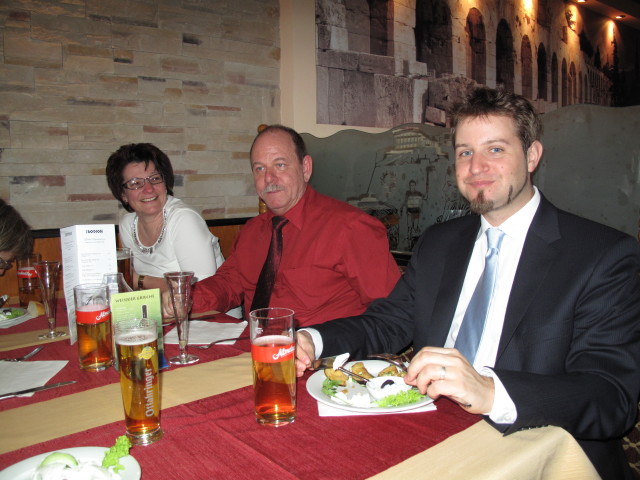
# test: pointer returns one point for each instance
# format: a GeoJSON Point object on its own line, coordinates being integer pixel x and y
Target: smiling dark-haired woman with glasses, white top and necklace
{"type": "Point", "coordinates": [163, 233]}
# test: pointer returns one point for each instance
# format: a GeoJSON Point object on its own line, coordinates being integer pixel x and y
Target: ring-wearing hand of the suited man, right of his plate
{"type": "Point", "coordinates": [445, 372]}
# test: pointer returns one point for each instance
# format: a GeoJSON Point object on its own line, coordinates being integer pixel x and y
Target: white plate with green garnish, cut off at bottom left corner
{"type": "Point", "coordinates": [81, 463]}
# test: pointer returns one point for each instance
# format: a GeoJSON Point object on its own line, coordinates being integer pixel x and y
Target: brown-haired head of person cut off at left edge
{"type": "Point", "coordinates": [15, 236]}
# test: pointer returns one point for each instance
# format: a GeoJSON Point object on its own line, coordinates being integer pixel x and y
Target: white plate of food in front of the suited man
{"type": "Point", "coordinates": [385, 392]}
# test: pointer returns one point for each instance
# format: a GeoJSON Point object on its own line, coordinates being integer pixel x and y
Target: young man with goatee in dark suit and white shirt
{"type": "Point", "coordinates": [561, 345]}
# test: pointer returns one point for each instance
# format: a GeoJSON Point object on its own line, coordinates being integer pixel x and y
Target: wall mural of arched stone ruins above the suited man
{"type": "Point", "coordinates": [382, 63]}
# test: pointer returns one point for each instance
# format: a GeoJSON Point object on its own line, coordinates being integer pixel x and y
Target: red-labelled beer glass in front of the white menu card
{"type": "Point", "coordinates": [93, 324]}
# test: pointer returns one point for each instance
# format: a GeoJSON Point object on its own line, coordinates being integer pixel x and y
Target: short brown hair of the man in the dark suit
{"type": "Point", "coordinates": [486, 101]}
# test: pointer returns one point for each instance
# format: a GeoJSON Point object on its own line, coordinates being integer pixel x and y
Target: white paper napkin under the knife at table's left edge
{"type": "Point", "coordinates": [15, 376]}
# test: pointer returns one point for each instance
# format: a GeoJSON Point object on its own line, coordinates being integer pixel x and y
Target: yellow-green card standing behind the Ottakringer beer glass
{"type": "Point", "coordinates": [139, 304]}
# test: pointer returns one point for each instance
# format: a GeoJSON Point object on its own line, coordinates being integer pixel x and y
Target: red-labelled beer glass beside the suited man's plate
{"type": "Point", "coordinates": [273, 351]}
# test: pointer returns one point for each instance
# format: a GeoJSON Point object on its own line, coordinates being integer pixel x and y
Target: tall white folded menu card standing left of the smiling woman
{"type": "Point", "coordinates": [88, 252]}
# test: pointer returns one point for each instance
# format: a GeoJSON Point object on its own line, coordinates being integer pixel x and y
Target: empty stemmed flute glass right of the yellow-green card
{"type": "Point", "coordinates": [179, 284]}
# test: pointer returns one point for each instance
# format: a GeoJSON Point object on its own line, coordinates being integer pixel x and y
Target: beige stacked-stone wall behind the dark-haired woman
{"type": "Point", "coordinates": [79, 78]}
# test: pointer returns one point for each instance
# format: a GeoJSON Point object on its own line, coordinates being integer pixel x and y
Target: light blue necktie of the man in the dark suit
{"type": "Point", "coordinates": [476, 315]}
